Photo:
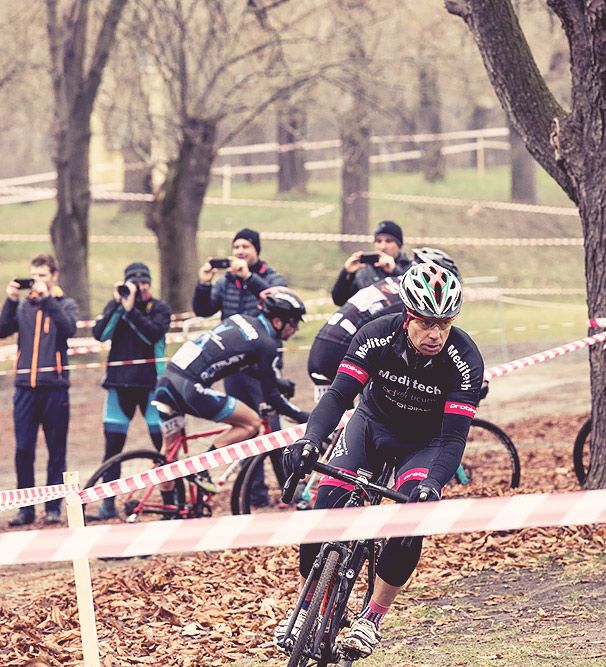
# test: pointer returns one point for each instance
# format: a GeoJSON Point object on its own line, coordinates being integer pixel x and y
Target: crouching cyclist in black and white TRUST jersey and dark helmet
{"type": "Point", "coordinates": [240, 342]}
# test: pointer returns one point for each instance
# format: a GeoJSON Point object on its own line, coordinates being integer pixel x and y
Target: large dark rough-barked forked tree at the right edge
{"type": "Point", "coordinates": [569, 145]}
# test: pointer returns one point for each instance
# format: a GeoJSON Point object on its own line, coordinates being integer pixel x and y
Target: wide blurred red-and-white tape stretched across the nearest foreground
{"type": "Point", "coordinates": [278, 528]}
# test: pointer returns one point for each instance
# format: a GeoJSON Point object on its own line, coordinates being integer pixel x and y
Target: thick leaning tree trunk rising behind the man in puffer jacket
{"type": "Point", "coordinates": [174, 215]}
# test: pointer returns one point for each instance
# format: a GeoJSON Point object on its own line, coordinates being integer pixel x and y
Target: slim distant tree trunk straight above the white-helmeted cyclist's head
{"type": "Point", "coordinates": [432, 160]}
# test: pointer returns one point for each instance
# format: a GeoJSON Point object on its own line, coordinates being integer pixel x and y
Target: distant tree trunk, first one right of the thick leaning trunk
{"type": "Point", "coordinates": [292, 176]}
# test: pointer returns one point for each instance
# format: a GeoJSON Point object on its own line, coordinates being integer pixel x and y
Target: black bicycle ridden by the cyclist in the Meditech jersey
{"type": "Point", "coordinates": [334, 574]}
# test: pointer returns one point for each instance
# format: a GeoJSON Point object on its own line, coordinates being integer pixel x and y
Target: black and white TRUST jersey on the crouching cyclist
{"type": "Point", "coordinates": [240, 342]}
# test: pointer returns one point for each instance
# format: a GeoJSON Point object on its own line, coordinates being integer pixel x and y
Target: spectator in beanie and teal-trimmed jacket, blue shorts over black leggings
{"type": "Point", "coordinates": [136, 324]}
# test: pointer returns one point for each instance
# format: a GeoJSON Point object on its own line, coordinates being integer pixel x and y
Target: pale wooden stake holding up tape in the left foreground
{"type": "Point", "coordinates": [84, 590]}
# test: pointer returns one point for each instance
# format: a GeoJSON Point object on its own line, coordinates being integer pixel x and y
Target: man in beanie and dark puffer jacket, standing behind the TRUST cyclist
{"type": "Point", "coordinates": [237, 293]}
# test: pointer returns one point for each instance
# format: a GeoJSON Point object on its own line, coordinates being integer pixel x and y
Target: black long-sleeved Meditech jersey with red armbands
{"type": "Point", "coordinates": [418, 398]}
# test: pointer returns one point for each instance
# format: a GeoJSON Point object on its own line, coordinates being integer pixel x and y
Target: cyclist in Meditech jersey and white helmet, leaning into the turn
{"type": "Point", "coordinates": [420, 381]}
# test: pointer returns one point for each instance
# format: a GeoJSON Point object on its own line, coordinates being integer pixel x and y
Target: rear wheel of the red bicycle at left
{"type": "Point", "coordinates": [143, 503]}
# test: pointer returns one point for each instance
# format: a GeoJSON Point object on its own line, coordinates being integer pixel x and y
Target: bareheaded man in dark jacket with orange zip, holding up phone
{"type": "Point", "coordinates": [44, 320]}
